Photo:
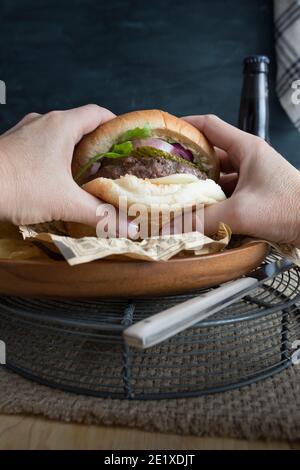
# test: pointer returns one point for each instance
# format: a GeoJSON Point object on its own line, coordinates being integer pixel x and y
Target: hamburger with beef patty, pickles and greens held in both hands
{"type": "Point", "coordinates": [148, 157]}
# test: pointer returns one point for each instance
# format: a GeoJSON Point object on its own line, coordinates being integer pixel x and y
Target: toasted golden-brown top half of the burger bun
{"type": "Point", "coordinates": [163, 125]}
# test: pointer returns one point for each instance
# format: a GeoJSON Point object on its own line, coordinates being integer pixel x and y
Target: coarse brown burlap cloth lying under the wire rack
{"type": "Point", "coordinates": [269, 409]}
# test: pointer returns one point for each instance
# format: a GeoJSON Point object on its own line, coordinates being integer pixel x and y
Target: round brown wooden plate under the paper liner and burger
{"type": "Point", "coordinates": [126, 278]}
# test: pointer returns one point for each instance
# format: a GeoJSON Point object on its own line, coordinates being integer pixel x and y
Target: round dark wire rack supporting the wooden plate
{"type": "Point", "coordinates": [78, 345]}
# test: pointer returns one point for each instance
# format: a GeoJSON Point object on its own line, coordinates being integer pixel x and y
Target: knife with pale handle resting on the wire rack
{"type": "Point", "coordinates": [169, 322]}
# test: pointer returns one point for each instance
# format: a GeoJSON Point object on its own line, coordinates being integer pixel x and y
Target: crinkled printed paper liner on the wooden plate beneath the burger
{"type": "Point", "coordinates": [83, 250]}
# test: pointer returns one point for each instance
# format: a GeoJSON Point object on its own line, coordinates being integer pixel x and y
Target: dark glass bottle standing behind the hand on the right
{"type": "Point", "coordinates": [254, 105]}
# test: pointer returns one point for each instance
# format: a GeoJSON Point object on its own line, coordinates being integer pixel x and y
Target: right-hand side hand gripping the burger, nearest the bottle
{"type": "Point", "coordinates": [263, 188]}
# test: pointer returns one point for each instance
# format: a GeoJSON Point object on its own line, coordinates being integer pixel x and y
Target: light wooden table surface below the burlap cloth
{"type": "Point", "coordinates": [35, 433]}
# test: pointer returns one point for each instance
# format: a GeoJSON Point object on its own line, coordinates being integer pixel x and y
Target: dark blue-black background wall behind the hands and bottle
{"type": "Point", "coordinates": [181, 56]}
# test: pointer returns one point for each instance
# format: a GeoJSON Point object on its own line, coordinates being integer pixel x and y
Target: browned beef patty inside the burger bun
{"type": "Point", "coordinates": [144, 167]}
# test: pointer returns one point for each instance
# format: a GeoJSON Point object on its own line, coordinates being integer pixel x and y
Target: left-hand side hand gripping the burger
{"type": "Point", "coordinates": [35, 171]}
